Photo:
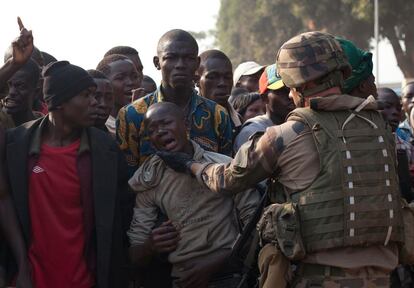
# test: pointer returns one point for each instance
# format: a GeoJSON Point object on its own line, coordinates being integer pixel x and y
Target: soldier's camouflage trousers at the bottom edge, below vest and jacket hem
{"type": "Point", "coordinates": [363, 278]}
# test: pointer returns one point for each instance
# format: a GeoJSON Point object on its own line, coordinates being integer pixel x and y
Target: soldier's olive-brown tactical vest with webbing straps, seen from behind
{"type": "Point", "coordinates": [354, 200]}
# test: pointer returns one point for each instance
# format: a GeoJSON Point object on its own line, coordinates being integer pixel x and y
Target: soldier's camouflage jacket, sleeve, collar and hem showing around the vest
{"type": "Point", "coordinates": [288, 152]}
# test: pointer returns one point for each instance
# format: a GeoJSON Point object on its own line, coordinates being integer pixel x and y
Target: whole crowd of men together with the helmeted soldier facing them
{"type": "Point", "coordinates": [299, 173]}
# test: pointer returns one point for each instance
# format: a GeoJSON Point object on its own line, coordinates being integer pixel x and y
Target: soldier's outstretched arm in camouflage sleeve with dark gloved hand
{"type": "Point", "coordinates": [256, 160]}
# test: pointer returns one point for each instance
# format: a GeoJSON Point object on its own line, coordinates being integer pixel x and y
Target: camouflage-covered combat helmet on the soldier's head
{"type": "Point", "coordinates": [312, 56]}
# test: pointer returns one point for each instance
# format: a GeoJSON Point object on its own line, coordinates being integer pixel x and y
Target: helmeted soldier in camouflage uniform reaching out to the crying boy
{"type": "Point", "coordinates": [335, 158]}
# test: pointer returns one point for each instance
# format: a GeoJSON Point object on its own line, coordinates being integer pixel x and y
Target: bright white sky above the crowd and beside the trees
{"type": "Point", "coordinates": [82, 31]}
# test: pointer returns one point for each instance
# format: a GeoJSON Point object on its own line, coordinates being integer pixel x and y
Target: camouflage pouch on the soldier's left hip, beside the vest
{"type": "Point", "coordinates": [280, 225]}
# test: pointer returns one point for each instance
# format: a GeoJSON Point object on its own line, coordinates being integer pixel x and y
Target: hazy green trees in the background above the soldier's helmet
{"type": "Point", "coordinates": [249, 29]}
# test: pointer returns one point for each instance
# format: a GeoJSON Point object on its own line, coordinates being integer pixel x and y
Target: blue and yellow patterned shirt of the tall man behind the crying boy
{"type": "Point", "coordinates": [210, 127]}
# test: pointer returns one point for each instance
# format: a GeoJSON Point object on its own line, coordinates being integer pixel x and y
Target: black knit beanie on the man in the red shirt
{"type": "Point", "coordinates": [62, 81]}
